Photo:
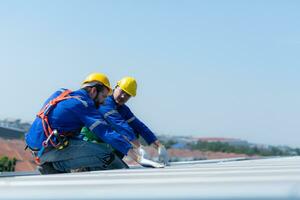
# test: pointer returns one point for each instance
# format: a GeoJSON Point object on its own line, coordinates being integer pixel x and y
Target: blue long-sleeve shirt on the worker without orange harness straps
{"type": "Point", "coordinates": [124, 121]}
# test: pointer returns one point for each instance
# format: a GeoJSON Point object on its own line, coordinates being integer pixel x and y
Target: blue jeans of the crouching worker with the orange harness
{"type": "Point", "coordinates": [80, 154]}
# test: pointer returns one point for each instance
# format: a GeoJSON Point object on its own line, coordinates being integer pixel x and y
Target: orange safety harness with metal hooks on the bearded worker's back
{"type": "Point", "coordinates": [57, 140]}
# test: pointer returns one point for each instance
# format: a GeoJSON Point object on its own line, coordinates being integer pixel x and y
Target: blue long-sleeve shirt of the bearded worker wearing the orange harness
{"type": "Point", "coordinates": [70, 115]}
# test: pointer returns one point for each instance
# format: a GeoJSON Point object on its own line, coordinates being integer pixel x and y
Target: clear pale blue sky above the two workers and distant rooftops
{"type": "Point", "coordinates": [205, 68]}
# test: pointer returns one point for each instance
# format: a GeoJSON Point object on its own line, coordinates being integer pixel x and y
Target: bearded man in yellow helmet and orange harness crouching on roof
{"type": "Point", "coordinates": [53, 136]}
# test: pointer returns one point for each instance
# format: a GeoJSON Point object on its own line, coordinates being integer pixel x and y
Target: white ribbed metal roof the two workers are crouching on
{"type": "Point", "coordinates": [275, 178]}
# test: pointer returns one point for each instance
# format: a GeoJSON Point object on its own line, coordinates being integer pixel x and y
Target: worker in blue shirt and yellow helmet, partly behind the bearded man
{"type": "Point", "coordinates": [120, 117]}
